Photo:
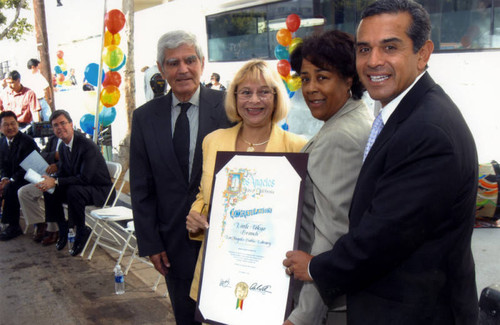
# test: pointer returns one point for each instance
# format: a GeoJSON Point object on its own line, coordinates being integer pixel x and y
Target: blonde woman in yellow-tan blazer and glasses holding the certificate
{"type": "Point", "coordinates": [257, 100]}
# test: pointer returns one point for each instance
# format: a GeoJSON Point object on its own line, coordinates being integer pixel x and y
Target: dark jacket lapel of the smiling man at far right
{"type": "Point", "coordinates": [405, 108]}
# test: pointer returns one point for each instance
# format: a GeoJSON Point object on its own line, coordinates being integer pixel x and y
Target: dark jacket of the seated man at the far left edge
{"type": "Point", "coordinates": [10, 159]}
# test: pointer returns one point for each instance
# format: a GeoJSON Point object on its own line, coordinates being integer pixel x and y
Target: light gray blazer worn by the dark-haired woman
{"type": "Point", "coordinates": [335, 158]}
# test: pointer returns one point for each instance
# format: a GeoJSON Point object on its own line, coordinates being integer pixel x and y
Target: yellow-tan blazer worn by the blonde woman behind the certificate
{"type": "Point", "coordinates": [225, 140]}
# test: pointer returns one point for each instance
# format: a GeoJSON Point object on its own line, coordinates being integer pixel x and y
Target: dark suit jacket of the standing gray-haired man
{"type": "Point", "coordinates": [161, 198]}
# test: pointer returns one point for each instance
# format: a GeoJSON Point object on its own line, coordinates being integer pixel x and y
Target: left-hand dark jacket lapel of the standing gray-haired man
{"type": "Point", "coordinates": [161, 130]}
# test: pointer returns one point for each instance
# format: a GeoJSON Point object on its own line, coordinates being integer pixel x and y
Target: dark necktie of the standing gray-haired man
{"type": "Point", "coordinates": [181, 139]}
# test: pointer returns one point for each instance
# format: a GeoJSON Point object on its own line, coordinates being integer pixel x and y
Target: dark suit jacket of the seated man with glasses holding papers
{"type": "Point", "coordinates": [85, 166]}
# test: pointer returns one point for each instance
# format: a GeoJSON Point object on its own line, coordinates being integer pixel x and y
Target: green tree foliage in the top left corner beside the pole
{"type": "Point", "coordinates": [16, 27]}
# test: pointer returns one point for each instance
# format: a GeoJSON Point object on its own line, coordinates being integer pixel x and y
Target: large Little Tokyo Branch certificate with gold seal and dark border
{"type": "Point", "coordinates": [255, 213]}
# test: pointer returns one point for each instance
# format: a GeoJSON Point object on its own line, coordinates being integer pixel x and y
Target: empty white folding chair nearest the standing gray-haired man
{"type": "Point", "coordinates": [108, 220]}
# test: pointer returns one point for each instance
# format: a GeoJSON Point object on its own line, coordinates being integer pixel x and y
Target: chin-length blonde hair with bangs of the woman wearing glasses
{"type": "Point", "coordinates": [254, 70]}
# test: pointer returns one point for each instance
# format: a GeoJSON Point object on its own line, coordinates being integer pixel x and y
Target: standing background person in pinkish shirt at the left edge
{"type": "Point", "coordinates": [21, 100]}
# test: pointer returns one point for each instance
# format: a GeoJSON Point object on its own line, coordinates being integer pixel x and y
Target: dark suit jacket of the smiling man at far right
{"type": "Point", "coordinates": [407, 256]}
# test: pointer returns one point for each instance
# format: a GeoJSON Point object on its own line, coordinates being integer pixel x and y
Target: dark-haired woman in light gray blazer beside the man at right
{"type": "Point", "coordinates": [332, 90]}
